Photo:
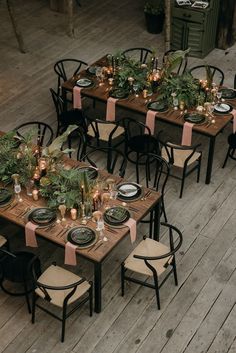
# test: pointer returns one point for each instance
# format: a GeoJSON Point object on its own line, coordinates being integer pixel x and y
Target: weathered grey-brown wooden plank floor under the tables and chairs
{"type": "Point", "coordinates": [199, 315]}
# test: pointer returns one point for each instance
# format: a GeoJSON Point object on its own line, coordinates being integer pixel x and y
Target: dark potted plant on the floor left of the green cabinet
{"type": "Point", "coordinates": [155, 15]}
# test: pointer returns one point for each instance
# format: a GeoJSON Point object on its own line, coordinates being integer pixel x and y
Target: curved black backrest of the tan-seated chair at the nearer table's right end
{"type": "Point", "coordinates": [175, 240]}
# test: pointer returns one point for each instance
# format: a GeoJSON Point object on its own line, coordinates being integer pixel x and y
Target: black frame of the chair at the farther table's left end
{"type": "Point", "coordinates": [61, 72]}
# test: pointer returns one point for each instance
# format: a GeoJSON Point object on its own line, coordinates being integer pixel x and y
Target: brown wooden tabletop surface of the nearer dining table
{"type": "Point", "coordinates": [57, 234]}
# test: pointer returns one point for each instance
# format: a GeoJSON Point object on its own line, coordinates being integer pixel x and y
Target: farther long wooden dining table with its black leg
{"type": "Point", "coordinates": [138, 105]}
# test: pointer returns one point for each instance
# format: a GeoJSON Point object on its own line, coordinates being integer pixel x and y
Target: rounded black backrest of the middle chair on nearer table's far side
{"type": "Point", "coordinates": [114, 162]}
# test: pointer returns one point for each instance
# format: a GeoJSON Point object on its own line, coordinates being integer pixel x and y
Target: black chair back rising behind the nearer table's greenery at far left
{"type": "Point", "coordinates": [43, 135]}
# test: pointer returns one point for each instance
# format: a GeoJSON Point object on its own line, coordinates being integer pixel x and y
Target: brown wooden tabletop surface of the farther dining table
{"type": "Point", "coordinates": [138, 104]}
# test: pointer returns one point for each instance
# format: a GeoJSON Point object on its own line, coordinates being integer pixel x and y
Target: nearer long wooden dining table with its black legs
{"type": "Point", "coordinates": [96, 254]}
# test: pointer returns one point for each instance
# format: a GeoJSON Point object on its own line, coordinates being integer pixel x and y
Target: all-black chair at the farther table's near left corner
{"type": "Point", "coordinates": [68, 117]}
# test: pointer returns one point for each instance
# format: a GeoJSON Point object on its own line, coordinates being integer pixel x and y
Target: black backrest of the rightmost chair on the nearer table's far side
{"type": "Point", "coordinates": [157, 171]}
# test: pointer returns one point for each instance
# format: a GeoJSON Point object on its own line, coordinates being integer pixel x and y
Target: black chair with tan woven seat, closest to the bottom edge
{"type": "Point", "coordinates": [62, 289]}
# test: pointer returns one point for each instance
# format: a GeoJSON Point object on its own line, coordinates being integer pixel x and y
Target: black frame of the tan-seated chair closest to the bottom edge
{"type": "Point", "coordinates": [65, 313]}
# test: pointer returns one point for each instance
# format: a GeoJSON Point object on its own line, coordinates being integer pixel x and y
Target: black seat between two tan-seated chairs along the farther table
{"type": "Point", "coordinates": [143, 144]}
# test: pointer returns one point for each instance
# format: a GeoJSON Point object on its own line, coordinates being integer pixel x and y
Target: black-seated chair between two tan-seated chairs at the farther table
{"type": "Point", "coordinates": [138, 142]}
